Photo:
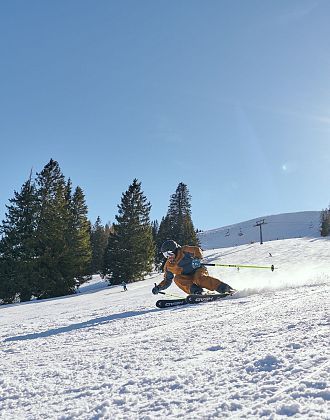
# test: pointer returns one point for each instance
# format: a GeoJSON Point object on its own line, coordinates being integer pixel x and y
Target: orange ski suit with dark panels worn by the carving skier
{"type": "Point", "coordinates": [184, 275]}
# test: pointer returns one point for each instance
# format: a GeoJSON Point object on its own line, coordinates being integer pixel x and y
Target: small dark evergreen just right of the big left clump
{"type": "Point", "coordinates": [99, 240]}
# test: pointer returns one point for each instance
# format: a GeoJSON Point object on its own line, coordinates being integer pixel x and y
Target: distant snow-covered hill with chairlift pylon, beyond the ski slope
{"type": "Point", "coordinates": [280, 226]}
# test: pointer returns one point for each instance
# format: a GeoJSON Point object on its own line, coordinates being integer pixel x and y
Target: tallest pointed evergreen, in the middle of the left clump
{"type": "Point", "coordinates": [56, 265]}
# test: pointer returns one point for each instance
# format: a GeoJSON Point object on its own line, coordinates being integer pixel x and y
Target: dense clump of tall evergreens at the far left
{"type": "Point", "coordinates": [45, 243]}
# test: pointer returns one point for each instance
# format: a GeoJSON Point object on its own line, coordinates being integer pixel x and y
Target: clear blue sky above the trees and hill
{"type": "Point", "coordinates": [230, 97]}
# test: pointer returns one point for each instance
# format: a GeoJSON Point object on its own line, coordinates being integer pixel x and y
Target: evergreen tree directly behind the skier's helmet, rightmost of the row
{"type": "Point", "coordinates": [177, 224]}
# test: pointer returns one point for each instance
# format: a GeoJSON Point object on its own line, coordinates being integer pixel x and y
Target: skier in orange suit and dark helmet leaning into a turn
{"type": "Point", "coordinates": [183, 265]}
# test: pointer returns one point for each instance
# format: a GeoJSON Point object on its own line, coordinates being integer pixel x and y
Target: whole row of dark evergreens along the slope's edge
{"type": "Point", "coordinates": [48, 247]}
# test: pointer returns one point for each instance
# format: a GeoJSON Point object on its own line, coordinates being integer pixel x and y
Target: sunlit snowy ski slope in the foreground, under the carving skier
{"type": "Point", "coordinates": [109, 354]}
